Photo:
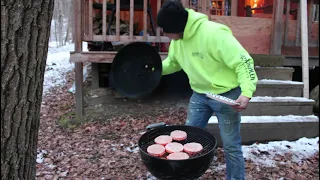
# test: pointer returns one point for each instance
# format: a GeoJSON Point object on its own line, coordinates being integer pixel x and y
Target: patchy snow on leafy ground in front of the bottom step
{"type": "Point", "coordinates": [264, 154]}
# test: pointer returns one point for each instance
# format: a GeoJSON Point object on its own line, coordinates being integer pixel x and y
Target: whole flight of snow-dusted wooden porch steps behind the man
{"type": "Point", "coordinates": [277, 111]}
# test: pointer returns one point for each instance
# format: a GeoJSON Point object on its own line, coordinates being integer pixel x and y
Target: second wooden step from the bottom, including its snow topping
{"type": "Point", "coordinates": [278, 106]}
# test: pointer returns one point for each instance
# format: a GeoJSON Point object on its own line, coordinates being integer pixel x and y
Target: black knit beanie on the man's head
{"type": "Point", "coordinates": [172, 17]}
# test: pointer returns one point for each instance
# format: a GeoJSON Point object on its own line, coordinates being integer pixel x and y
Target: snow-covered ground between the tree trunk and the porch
{"type": "Point", "coordinates": [58, 65]}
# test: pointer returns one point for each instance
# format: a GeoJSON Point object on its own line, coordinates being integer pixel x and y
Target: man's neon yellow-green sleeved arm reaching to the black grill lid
{"type": "Point", "coordinates": [170, 64]}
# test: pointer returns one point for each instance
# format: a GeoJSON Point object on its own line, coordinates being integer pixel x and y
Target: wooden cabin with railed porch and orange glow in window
{"type": "Point", "coordinates": [270, 27]}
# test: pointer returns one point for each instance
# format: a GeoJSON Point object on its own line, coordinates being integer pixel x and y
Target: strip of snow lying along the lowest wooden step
{"type": "Point", "coordinates": [271, 119]}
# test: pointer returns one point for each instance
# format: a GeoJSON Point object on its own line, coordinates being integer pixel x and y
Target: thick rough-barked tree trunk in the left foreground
{"type": "Point", "coordinates": [25, 30]}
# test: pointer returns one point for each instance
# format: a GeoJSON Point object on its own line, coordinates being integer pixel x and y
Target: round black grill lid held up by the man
{"type": "Point", "coordinates": [136, 70]}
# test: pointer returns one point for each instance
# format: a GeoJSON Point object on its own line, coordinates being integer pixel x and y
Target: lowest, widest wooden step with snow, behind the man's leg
{"type": "Point", "coordinates": [271, 128]}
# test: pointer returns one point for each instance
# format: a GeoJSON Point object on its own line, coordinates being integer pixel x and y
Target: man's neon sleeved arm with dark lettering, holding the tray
{"type": "Point", "coordinates": [236, 57]}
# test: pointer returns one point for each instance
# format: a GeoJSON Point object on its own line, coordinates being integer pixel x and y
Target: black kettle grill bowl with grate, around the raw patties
{"type": "Point", "coordinates": [191, 168]}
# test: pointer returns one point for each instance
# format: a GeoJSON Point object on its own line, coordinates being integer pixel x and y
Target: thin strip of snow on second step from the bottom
{"type": "Point", "coordinates": [280, 99]}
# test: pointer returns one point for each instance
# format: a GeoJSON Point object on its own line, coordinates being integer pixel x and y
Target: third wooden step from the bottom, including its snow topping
{"type": "Point", "coordinates": [274, 88]}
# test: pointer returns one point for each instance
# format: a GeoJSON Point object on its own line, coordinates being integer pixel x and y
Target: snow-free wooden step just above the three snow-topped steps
{"type": "Point", "coordinates": [278, 73]}
